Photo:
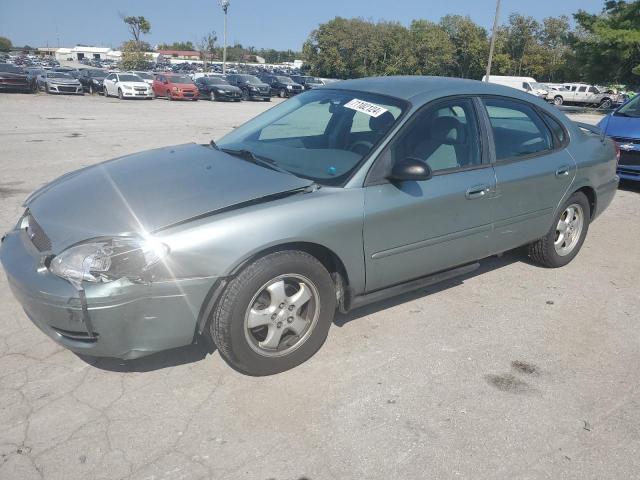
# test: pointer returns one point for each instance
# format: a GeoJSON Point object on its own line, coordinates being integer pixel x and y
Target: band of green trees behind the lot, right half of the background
{"type": "Point", "coordinates": [603, 48]}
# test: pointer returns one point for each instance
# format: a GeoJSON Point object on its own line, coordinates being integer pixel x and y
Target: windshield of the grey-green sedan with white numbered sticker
{"type": "Point", "coordinates": [322, 135]}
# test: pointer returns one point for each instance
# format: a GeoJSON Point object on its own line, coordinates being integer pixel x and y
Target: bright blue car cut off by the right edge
{"type": "Point", "coordinates": [623, 125]}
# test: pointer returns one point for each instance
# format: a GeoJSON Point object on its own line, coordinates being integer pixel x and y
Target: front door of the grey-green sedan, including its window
{"type": "Point", "coordinates": [412, 229]}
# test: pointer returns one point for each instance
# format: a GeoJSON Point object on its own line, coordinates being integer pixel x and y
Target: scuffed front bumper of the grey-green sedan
{"type": "Point", "coordinates": [122, 319]}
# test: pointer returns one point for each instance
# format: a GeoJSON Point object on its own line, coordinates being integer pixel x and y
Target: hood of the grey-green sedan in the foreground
{"type": "Point", "coordinates": [151, 190]}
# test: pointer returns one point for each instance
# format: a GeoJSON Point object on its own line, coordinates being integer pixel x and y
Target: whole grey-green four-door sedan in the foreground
{"type": "Point", "coordinates": [328, 201]}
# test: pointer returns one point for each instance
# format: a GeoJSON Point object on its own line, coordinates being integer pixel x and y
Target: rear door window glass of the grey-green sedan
{"type": "Point", "coordinates": [518, 131]}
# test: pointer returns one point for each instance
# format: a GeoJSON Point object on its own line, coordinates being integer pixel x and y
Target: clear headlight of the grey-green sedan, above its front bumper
{"type": "Point", "coordinates": [109, 259]}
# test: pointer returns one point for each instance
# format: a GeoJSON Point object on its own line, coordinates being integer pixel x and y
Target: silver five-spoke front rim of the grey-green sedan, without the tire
{"type": "Point", "coordinates": [282, 315]}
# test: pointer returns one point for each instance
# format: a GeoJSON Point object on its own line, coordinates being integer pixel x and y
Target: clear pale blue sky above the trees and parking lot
{"type": "Point", "coordinates": [280, 24]}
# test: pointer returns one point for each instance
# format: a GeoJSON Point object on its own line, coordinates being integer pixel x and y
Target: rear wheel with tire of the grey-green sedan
{"type": "Point", "coordinates": [566, 236]}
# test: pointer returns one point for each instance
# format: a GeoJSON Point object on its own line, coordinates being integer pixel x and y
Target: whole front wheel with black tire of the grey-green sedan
{"type": "Point", "coordinates": [275, 314]}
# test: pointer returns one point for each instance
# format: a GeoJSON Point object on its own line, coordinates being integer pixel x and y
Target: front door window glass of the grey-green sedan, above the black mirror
{"type": "Point", "coordinates": [444, 136]}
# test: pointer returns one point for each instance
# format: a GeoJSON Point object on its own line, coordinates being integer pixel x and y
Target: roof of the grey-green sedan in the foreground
{"type": "Point", "coordinates": [410, 86]}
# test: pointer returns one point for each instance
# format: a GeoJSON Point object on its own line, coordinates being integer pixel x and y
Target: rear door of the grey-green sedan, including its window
{"type": "Point", "coordinates": [532, 167]}
